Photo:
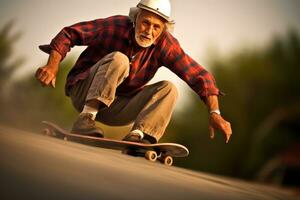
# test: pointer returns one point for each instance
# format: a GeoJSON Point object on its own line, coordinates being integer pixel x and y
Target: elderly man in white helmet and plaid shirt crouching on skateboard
{"type": "Point", "coordinates": [108, 81]}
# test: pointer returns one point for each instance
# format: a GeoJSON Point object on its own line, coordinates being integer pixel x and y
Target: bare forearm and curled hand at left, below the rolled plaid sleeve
{"type": "Point", "coordinates": [47, 73]}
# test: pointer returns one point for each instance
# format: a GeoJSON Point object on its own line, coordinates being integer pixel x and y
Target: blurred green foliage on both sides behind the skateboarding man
{"type": "Point", "coordinates": [262, 103]}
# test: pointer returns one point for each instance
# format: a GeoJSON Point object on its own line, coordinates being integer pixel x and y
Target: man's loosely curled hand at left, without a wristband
{"type": "Point", "coordinates": [47, 75]}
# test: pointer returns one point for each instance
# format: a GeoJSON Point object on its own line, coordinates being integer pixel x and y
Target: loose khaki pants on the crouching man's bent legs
{"type": "Point", "coordinates": [150, 109]}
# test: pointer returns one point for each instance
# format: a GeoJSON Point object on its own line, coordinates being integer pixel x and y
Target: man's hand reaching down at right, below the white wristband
{"type": "Point", "coordinates": [216, 121]}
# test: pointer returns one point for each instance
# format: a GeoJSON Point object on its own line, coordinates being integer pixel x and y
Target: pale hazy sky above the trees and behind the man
{"type": "Point", "coordinates": [201, 25]}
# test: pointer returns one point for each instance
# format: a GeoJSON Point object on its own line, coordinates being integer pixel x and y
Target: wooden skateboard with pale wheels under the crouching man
{"type": "Point", "coordinates": [163, 152]}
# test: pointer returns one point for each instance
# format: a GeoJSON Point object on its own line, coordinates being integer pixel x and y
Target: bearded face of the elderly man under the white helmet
{"type": "Point", "coordinates": [148, 28]}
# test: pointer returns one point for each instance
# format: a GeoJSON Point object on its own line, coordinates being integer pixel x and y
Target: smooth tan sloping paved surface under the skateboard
{"type": "Point", "coordinates": [33, 166]}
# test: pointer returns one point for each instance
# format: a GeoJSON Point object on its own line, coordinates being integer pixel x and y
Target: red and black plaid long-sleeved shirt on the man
{"type": "Point", "coordinates": [116, 33]}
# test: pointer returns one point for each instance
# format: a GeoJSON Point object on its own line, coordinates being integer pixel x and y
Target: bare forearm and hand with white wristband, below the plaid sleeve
{"type": "Point", "coordinates": [216, 121]}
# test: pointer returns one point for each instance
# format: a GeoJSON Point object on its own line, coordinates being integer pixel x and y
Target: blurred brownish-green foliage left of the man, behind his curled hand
{"type": "Point", "coordinates": [25, 103]}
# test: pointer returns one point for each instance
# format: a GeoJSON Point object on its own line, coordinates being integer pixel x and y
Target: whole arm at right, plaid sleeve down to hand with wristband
{"type": "Point", "coordinates": [200, 80]}
